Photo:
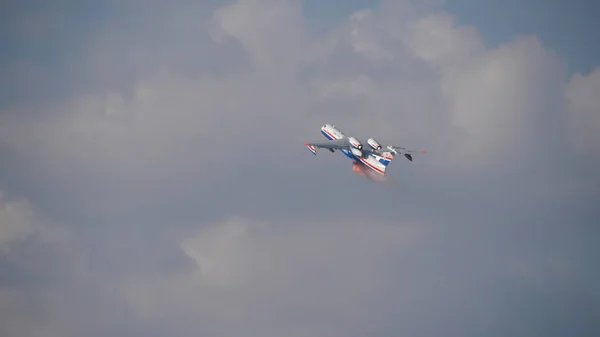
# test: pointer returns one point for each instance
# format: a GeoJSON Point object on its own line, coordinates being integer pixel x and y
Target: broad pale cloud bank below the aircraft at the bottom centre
{"type": "Point", "coordinates": [260, 276]}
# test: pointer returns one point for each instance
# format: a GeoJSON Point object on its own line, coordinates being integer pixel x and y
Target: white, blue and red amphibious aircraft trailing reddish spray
{"type": "Point", "coordinates": [365, 160]}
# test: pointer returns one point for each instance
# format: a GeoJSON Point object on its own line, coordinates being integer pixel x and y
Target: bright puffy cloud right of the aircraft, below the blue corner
{"type": "Point", "coordinates": [499, 98]}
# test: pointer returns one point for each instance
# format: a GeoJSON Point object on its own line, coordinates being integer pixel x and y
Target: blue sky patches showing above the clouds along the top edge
{"type": "Point", "coordinates": [567, 27]}
